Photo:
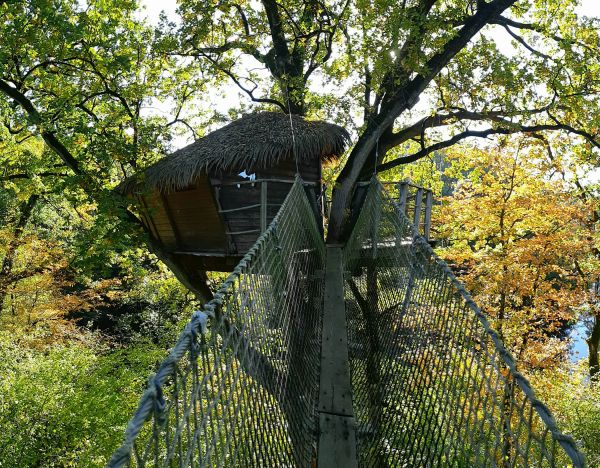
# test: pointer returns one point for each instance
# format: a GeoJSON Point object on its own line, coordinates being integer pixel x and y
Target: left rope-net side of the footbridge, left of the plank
{"type": "Point", "coordinates": [241, 384]}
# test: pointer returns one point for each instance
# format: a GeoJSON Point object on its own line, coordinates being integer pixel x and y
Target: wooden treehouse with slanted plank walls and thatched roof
{"type": "Point", "coordinates": [206, 204]}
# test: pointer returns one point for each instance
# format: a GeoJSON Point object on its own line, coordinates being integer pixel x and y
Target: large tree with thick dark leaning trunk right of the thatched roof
{"type": "Point", "coordinates": [434, 51]}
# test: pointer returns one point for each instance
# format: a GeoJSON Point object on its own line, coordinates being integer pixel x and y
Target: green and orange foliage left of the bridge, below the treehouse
{"type": "Point", "coordinates": [67, 393]}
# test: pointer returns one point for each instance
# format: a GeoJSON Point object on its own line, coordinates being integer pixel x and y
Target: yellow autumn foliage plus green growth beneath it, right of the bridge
{"type": "Point", "coordinates": [523, 241]}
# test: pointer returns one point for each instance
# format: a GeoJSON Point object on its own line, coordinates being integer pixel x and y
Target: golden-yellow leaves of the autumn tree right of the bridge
{"type": "Point", "coordinates": [514, 236]}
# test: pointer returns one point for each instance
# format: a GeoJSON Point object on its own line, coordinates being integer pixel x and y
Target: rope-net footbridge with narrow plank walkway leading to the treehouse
{"type": "Point", "coordinates": [367, 354]}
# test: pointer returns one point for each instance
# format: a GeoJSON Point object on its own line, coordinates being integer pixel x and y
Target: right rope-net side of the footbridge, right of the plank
{"type": "Point", "coordinates": [432, 383]}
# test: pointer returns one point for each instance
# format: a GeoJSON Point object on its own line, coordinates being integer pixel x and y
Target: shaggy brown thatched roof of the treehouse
{"type": "Point", "coordinates": [256, 141]}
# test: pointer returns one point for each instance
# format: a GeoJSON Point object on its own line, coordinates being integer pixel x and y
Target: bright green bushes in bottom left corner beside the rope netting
{"type": "Point", "coordinates": [68, 405]}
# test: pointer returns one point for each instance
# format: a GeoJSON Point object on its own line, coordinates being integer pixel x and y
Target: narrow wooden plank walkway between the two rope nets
{"type": "Point", "coordinates": [337, 428]}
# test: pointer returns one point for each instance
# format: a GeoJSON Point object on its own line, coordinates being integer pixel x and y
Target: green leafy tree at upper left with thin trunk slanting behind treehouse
{"type": "Point", "coordinates": [79, 78]}
